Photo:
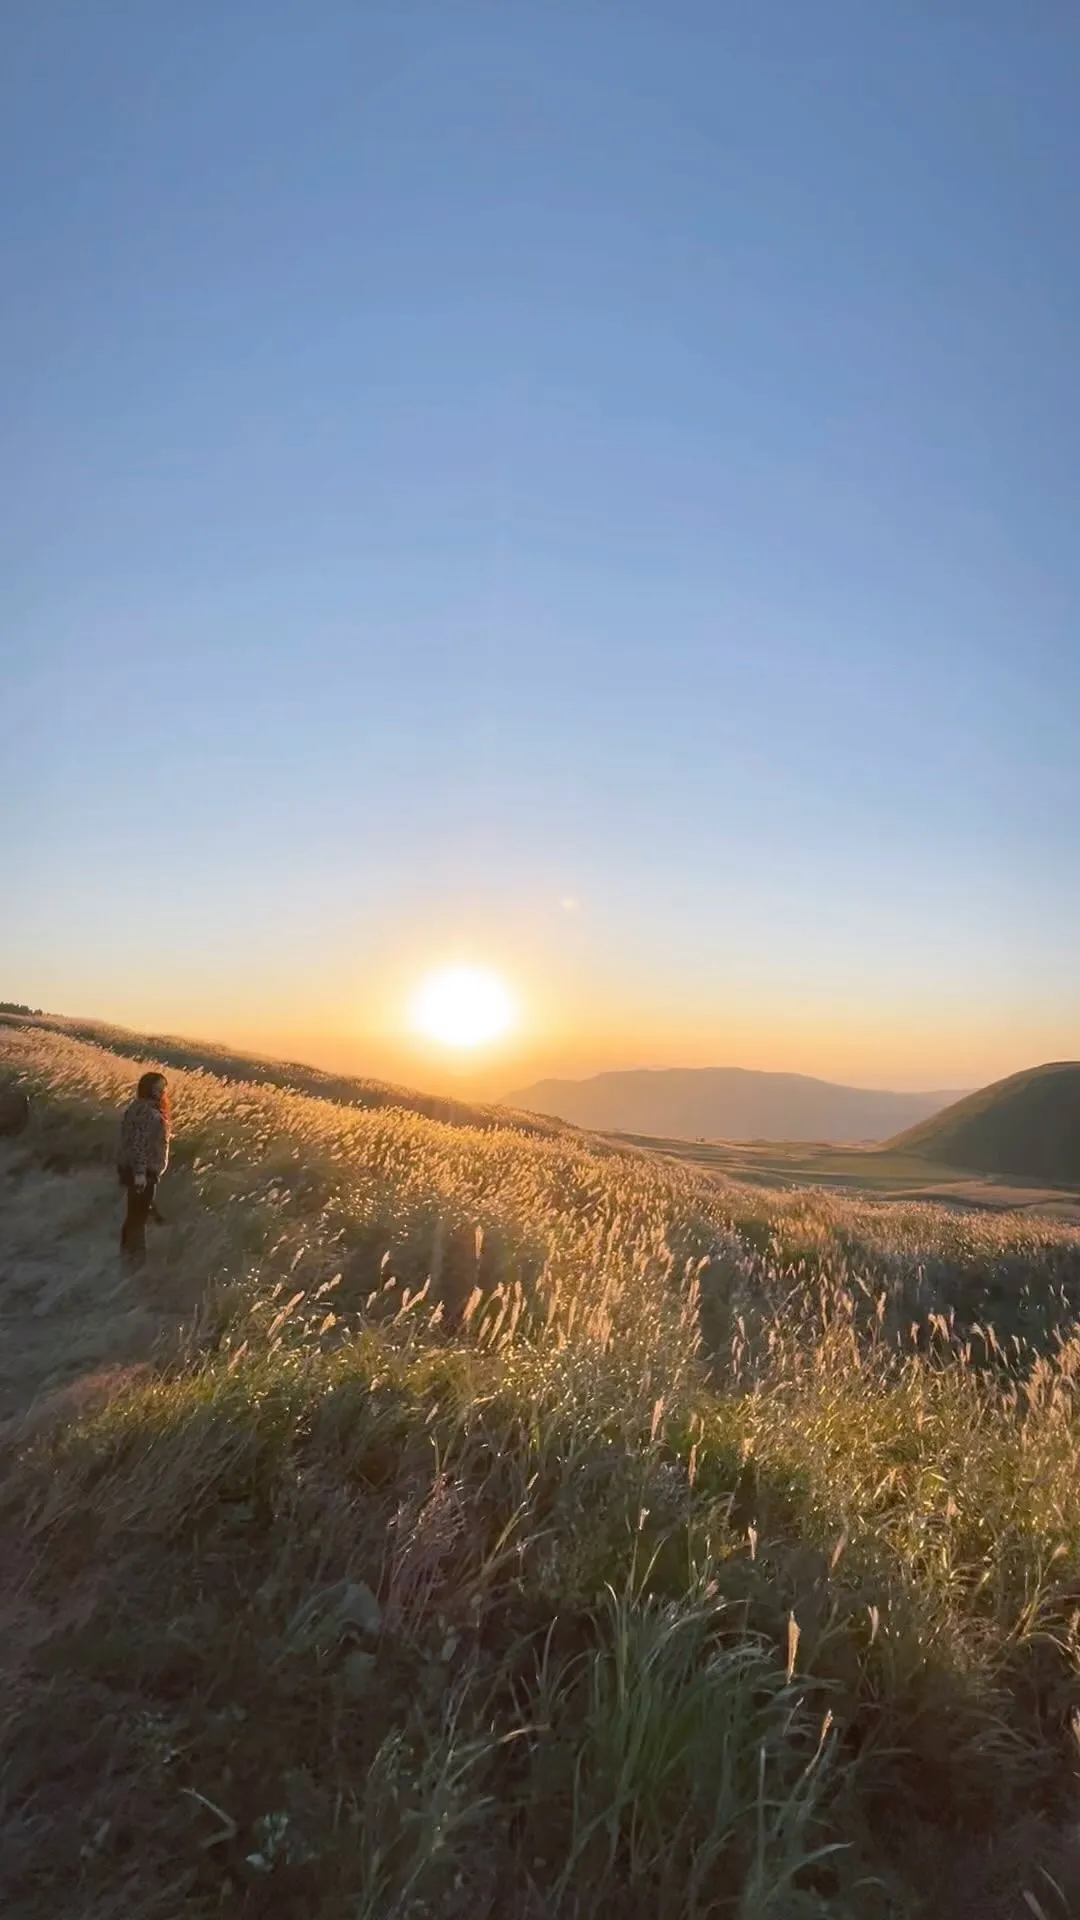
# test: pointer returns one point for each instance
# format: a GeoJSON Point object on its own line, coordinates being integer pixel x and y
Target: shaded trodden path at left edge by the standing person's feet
{"type": "Point", "coordinates": [70, 1314]}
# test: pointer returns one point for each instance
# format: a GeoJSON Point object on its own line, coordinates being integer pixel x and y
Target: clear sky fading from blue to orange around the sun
{"type": "Point", "coordinates": [462, 460]}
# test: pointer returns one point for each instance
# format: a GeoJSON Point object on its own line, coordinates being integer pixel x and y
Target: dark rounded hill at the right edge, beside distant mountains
{"type": "Point", "coordinates": [1027, 1126]}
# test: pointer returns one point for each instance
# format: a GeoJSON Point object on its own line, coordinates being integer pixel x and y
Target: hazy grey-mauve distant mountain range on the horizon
{"type": "Point", "coordinates": [729, 1105]}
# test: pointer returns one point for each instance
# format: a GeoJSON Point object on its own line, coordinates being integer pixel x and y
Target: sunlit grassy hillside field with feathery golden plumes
{"type": "Point", "coordinates": [504, 1527]}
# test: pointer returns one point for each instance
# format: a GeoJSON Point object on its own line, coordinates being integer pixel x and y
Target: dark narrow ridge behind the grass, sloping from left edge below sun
{"type": "Point", "coordinates": [230, 1065]}
